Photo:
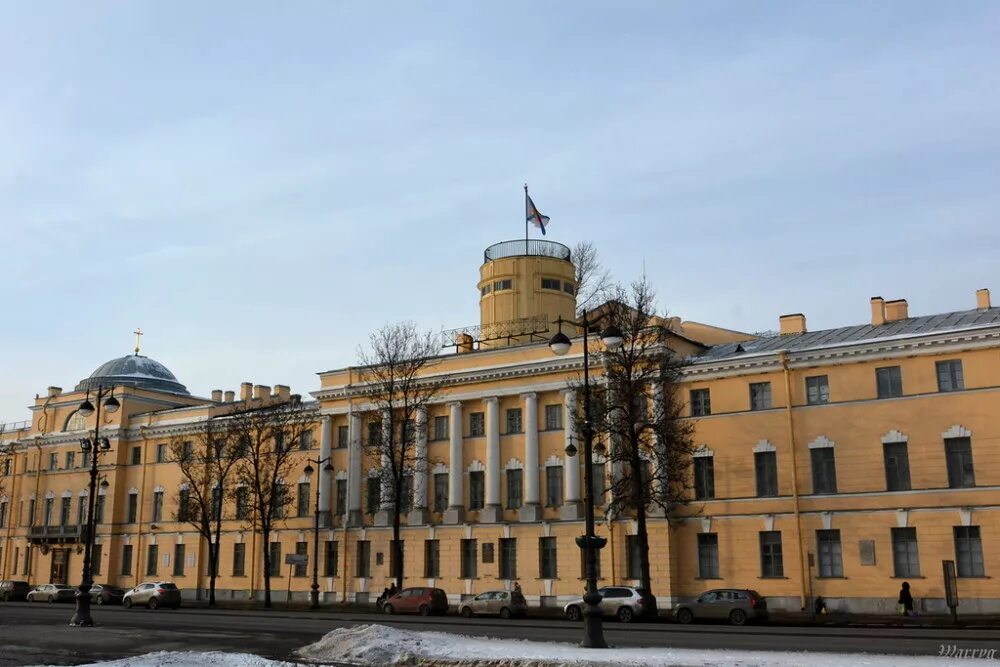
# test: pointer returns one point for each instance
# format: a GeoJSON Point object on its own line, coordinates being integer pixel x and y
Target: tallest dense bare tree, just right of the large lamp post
{"type": "Point", "coordinates": [639, 410]}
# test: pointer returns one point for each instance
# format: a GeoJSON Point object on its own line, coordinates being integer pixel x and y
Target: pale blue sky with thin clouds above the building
{"type": "Point", "coordinates": [258, 186]}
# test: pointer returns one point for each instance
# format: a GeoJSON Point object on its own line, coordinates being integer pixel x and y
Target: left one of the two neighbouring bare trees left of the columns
{"type": "Point", "coordinates": [207, 461]}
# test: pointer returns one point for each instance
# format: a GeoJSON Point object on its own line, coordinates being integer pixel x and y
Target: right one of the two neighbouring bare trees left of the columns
{"type": "Point", "coordinates": [266, 437]}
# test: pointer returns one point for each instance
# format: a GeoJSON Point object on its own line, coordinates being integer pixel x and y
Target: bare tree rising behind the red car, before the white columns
{"type": "Point", "coordinates": [394, 377]}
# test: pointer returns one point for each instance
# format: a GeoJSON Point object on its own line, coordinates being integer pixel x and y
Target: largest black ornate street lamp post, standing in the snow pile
{"type": "Point", "coordinates": [590, 542]}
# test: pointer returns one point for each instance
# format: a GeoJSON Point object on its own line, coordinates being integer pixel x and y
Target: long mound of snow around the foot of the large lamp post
{"type": "Point", "coordinates": [381, 645]}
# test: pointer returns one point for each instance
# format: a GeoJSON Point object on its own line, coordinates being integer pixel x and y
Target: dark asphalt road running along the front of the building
{"type": "Point", "coordinates": [39, 633]}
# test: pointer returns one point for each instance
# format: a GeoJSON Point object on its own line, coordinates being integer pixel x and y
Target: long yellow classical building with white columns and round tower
{"type": "Point", "coordinates": [835, 463]}
